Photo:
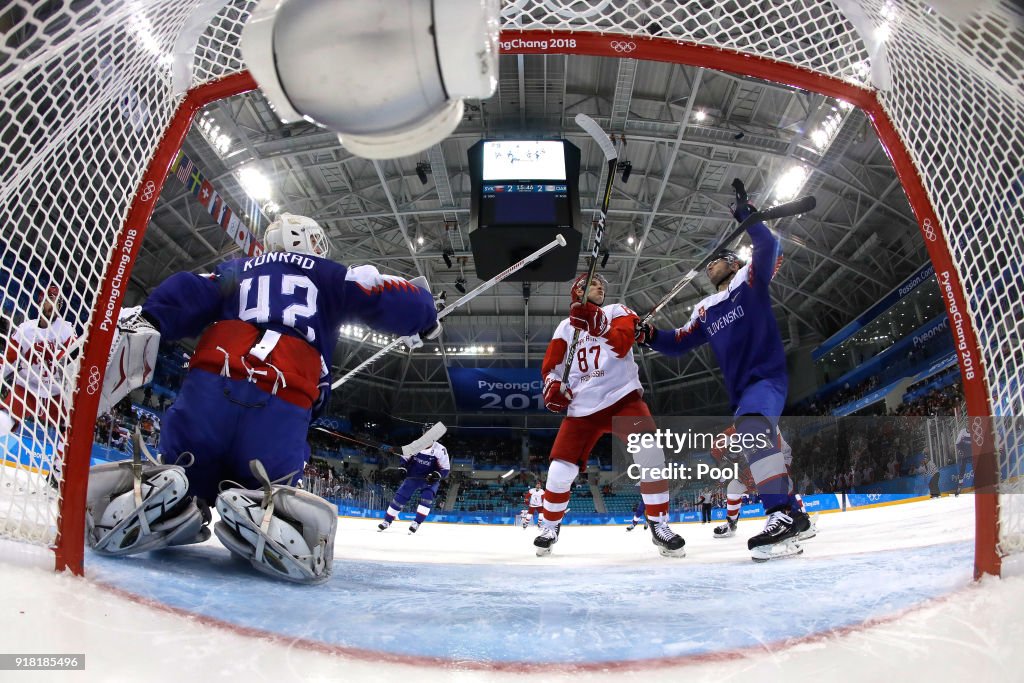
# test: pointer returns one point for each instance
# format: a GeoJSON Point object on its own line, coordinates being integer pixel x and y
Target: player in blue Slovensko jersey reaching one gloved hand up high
{"type": "Point", "coordinates": [740, 325]}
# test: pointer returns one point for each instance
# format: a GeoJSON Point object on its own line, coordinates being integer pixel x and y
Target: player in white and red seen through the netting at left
{"type": "Point", "coordinates": [36, 358]}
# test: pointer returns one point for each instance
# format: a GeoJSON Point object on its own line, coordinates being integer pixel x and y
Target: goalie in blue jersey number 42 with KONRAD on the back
{"type": "Point", "coordinates": [268, 328]}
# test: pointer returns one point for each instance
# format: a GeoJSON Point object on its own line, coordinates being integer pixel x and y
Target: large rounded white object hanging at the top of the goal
{"type": "Point", "coordinates": [389, 77]}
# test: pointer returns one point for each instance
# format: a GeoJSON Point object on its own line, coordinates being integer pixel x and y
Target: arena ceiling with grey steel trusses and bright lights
{"type": "Point", "coordinates": [861, 242]}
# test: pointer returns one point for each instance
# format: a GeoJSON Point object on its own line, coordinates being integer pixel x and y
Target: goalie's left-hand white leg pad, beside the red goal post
{"type": "Point", "coordinates": [118, 525]}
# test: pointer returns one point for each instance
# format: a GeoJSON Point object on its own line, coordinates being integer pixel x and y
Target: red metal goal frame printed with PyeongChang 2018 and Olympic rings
{"type": "Point", "coordinates": [71, 527]}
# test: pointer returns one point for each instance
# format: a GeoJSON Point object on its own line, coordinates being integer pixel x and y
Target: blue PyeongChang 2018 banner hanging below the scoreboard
{"type": "Point", "coordinates": [517, 390]}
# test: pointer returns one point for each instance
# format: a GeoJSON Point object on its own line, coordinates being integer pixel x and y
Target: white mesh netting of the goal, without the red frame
{"type": "Point", "coordinates": [88, 91]}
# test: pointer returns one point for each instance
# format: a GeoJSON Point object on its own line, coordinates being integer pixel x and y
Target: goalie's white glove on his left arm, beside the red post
{"type": "Point", "coordinates": [134, 357]}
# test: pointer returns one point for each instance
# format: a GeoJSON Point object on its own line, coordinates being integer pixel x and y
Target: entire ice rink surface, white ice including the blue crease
{"type": "Point", "coordinates": [880, 592]}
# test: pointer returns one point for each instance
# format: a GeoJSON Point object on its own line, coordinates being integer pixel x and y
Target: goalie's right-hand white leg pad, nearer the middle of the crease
{"type": "Point", "coordinates": [296, 544]}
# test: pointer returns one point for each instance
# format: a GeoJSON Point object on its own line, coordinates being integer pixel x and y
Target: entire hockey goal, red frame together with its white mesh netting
{"type": "Point", "coordinates": [96, 100]}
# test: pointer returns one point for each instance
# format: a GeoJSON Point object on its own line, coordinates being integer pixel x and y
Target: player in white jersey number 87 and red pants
{"type": "Point", "coordinates": [604, 383]}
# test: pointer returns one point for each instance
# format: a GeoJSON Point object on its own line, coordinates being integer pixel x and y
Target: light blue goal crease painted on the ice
{"type": "Point", "coordinates": [546, 614]}
